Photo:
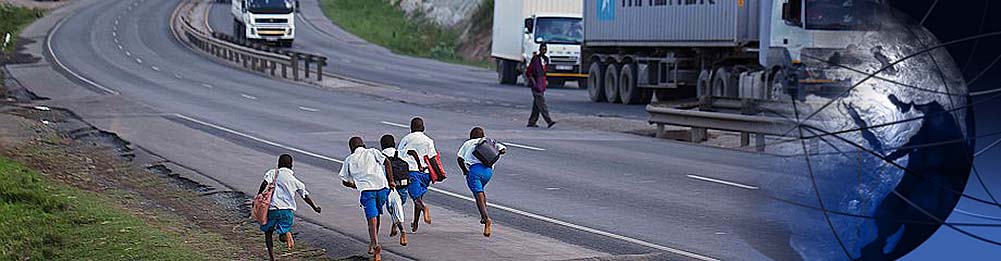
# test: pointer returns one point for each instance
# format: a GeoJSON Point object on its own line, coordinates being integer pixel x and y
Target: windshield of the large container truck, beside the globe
{"type": "Point", "coordinates": [841, 14]}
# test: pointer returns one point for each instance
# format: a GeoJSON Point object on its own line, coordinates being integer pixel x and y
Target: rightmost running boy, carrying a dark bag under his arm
{"type": "Point", "coordinates": [477, 157]}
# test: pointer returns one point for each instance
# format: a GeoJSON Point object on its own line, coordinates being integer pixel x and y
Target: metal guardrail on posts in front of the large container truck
{"type": "Point", "coordinates": [748, 122]}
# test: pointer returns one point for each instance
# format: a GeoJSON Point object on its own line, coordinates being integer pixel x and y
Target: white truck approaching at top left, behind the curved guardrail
{"type": "Point", "coordinates": [271, 21]}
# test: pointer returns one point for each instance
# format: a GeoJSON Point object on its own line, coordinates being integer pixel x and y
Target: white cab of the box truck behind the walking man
{"type": "Point", "coordinates": [563, 34]}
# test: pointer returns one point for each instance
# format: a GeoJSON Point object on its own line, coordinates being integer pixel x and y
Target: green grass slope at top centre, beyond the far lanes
{"type": "Point", "coordinates": [380, 22]}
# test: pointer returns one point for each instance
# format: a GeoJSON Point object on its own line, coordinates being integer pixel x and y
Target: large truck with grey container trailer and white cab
{"type": "Point", "coordinates": [635, 50]}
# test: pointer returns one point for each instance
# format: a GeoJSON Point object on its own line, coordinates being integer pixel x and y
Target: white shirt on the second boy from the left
{"type": "Point", "coordinates": [366, 168]}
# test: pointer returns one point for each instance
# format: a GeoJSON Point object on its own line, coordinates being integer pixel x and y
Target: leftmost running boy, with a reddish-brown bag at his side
{"type": "Point", "coordinates": [283, 206]}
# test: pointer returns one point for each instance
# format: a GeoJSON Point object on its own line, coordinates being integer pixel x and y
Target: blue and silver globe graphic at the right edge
{"type": "Point", "coordinates": [884, 157]}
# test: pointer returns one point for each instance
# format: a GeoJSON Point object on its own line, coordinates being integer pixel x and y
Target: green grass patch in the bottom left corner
{"type": "Point", "coordinates": [44, 220]}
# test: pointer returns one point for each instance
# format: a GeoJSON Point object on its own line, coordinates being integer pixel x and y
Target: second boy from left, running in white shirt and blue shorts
{"type": "Point", "coordinates": [369, 171]}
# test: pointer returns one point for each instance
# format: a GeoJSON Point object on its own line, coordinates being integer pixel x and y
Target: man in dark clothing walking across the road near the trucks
{"type": "Point", "coordinates": [535, 75]}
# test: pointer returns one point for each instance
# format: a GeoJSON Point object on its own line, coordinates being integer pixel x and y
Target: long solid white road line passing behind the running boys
{"type": "Point", "coordinates": [451, 194]}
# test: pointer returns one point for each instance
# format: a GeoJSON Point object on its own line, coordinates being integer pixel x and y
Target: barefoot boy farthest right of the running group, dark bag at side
{"type": "Point", "coordinates": [478, 174]}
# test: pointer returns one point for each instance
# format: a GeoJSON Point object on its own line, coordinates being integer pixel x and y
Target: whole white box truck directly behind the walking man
{"type": "Point", "coordinates": [521, 26]}
